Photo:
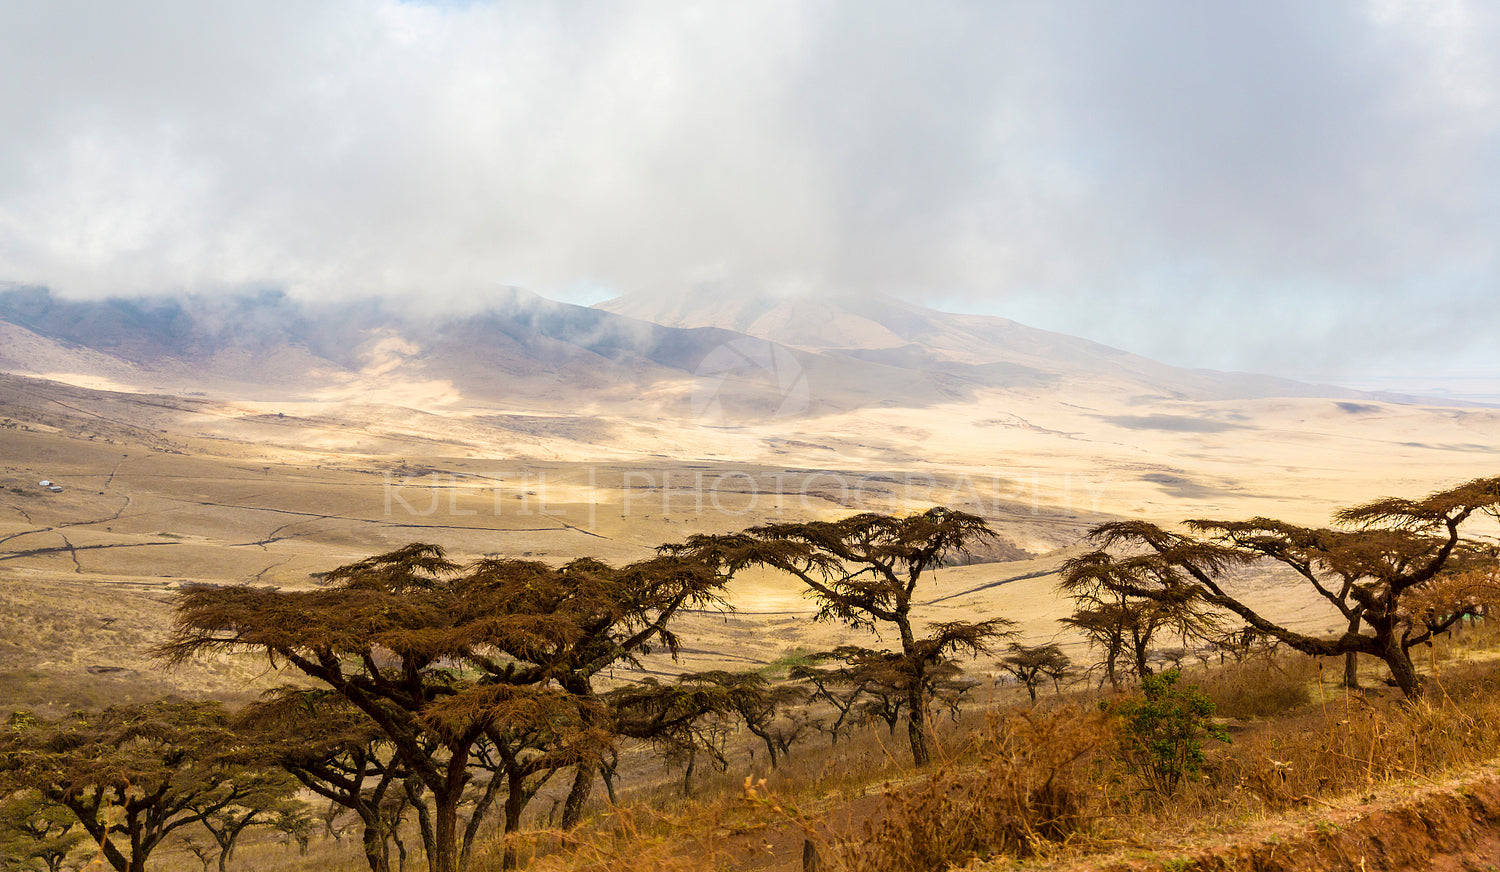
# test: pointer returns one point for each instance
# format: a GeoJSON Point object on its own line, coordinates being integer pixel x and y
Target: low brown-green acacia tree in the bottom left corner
{"type": "Point", "coordinates": [133, 775]}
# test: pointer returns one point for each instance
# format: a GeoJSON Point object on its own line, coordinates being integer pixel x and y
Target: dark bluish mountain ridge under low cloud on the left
{"type": "Point", "coordinates": [272, 346]}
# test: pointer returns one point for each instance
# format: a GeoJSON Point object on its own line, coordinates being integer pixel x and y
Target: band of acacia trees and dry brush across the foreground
{"type": "Point", "coordinates": [433, 703]}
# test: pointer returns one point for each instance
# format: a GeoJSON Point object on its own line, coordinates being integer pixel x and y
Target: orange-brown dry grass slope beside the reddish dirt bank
{"type": "Point", "coordinates": [1045, 784]}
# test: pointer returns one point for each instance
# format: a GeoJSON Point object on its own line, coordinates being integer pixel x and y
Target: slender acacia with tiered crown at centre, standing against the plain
{"type": "Point", "coordinates": [866, 571]}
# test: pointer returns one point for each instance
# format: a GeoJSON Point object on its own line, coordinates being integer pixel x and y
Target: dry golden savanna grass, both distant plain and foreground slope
{"type": "Point", "coordinates": [166, 495]}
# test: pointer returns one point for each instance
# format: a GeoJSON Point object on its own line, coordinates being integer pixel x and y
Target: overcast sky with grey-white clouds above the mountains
{"type": "Point", "coordinates": [1288, 187]}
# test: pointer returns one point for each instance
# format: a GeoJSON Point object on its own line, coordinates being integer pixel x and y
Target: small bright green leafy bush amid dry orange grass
{"type": "Point", "coordinates": [1162, 732]}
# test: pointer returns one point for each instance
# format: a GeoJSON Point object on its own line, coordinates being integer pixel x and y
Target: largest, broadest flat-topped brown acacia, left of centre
{"type": "Point", "coordinates": [451, 663]}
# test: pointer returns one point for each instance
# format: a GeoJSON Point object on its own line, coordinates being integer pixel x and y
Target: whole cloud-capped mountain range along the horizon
{"type": "Point", "coordinates": [853, 352]}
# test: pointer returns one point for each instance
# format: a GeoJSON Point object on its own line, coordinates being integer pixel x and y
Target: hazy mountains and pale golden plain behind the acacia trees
{"type": "Point", "coordinates": [260, 441]}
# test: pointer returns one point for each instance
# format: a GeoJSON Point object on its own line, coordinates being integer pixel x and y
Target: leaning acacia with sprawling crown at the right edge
{"type": "Point", "coordinates": [1388, 558]}
